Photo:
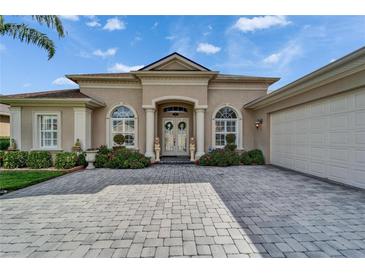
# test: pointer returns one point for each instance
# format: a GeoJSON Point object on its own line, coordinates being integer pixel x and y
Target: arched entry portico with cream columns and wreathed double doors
{"type": "Point", "coordinates": [175, 119]}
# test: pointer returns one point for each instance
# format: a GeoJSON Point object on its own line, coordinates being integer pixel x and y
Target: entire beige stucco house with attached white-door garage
{"type": "Point", "coordinates": [314, 125]}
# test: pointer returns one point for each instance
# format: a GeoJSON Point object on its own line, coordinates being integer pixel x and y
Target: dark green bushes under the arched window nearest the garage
{"type": "Point", "coordinates": [228, 157]}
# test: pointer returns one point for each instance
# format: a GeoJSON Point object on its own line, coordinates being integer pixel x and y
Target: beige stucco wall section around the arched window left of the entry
{"type": "Point", "coordinates": [112, 97]}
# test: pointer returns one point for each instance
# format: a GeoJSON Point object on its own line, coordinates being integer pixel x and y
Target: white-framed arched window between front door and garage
{"type": "Point", "coordinates": [226, 122]}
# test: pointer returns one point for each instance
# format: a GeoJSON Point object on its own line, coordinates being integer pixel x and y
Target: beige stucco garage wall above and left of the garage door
{"type": "Point", "coordinates": [262, 135]}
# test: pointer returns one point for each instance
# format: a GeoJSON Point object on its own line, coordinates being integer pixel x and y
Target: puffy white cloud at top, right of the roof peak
{"type": "Point", "coordinates": [261, 22]}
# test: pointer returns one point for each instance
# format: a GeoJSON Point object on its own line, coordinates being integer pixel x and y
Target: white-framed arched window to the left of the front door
{"type": "Point", "coordinates": [123, 121]}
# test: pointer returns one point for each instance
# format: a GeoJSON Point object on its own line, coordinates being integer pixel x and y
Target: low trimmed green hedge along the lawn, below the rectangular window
{"type": "Point", "coordinates": [40, 159]}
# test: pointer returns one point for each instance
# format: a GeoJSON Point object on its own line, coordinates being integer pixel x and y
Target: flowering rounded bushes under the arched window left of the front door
{"type": "Point", "coordinates": [120, 158]}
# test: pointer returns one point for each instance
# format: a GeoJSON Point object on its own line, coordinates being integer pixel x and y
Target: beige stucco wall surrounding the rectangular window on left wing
{"type": "Point", "coordinates": [67, 125]}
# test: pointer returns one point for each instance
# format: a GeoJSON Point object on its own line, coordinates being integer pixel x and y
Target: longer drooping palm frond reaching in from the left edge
{"type": "Point", "coordinates": [29, 35]}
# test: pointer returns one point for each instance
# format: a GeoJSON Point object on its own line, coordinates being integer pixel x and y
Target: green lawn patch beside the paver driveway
{"type": "Point", "coordinates": [13, 180]}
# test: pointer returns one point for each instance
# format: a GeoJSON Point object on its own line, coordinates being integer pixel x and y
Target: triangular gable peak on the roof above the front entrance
{"type": "Point", "coordinates": [174, 61]}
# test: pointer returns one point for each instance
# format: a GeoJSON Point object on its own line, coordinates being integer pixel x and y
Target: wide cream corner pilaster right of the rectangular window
{"type": "Point", "coordinates": [82, 127]}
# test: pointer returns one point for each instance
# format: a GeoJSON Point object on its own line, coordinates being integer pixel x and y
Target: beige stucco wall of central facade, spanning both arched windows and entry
{"type": "Point", "coordinates": [234, 94]}
